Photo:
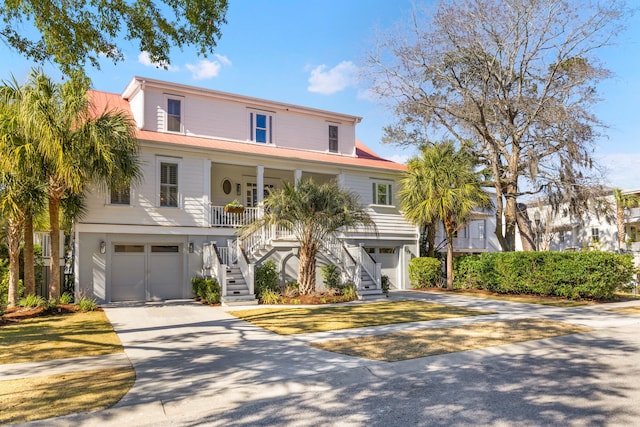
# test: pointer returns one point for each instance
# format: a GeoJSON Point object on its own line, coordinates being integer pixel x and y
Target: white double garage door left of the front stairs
{"type": "Point", "coordinates": [146, 272]}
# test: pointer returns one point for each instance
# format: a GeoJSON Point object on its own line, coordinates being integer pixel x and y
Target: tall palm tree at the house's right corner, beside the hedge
{"type": "Point", "coordinates": [442, 185]}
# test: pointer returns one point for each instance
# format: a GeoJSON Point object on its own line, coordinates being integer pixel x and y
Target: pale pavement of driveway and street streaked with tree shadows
{"type": "Point", "coordinates": [197, 365]}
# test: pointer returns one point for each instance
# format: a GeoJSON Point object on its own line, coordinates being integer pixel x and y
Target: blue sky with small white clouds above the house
{"type": "Point", "coordinates": [309, 52]}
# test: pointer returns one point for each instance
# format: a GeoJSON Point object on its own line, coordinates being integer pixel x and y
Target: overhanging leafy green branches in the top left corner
{"type": "Point", "coordinates": [72, 33]}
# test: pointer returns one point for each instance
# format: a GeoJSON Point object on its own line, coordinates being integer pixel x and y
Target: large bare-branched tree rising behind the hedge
{"type": "Point", "coordinates": [516, 77]}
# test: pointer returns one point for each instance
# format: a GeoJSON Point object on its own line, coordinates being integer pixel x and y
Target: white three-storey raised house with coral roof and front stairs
{"type": "Point", "coordinates": [202, 149]}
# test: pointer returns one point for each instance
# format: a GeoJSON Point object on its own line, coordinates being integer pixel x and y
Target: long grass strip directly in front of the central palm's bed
{"type": "Point", "coordinates": [287, 321]}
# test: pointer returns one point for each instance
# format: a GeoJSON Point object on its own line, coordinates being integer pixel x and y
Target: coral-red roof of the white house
{"type": "Point", "coordinates": [365, 157]}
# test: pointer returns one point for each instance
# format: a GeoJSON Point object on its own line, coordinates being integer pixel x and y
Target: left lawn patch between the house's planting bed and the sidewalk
{"type": "Point", "coordinates": [58, 337]}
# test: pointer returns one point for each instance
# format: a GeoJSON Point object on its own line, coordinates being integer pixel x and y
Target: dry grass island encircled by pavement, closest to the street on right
{"type": "Point", "coordinates": [429, 342]}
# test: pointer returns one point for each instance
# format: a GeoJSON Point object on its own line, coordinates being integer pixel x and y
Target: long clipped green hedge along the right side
{"type": "Point", "coordinates": [592, 275]}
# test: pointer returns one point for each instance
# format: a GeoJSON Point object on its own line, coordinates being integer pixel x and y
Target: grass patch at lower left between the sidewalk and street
{"type": "Point", "coordinates": [49, 396]}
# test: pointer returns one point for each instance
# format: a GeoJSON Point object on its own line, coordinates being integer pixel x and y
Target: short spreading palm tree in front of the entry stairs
{"type": "Point", "coordinates": [312, 212]}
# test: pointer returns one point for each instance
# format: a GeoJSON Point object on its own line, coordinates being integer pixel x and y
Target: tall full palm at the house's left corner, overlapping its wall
{"type": "Point", "coordinates": [76, 145]}
